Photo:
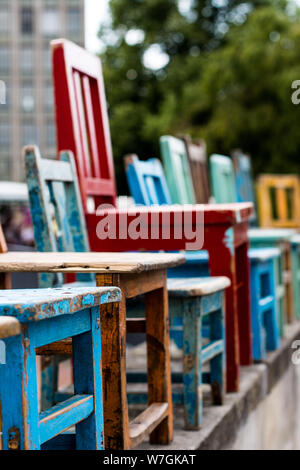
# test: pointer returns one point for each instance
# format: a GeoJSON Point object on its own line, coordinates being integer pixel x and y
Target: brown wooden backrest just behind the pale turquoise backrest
{"type": "Point", "coordinates": [197, 157]}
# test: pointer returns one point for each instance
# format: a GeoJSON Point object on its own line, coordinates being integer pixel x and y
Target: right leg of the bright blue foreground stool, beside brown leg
{"type": "Point", "coordinates": [88, 380]}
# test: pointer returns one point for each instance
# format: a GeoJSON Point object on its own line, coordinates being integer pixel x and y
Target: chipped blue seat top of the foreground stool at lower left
{"type": "Point", "coordinates": [37, 304]}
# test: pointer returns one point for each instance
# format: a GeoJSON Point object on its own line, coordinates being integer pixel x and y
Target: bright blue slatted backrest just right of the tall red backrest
{"type": "Point", "coordinates": [147, 182]}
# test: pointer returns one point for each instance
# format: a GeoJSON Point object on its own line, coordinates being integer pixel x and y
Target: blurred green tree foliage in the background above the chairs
{"type": "Point", "coordinates": [225, 74]}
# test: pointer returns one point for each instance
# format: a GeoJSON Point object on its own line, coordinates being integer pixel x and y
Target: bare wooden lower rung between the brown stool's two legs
{"type": "Point", "coordinates": [146, 422]}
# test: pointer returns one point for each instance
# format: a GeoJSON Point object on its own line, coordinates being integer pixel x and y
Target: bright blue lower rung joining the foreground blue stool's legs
{"type": "Point", "coordinates": [64, 415]}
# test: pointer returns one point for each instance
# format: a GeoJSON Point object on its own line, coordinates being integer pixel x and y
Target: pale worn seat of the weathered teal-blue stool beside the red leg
{"type": "Point", "coordinates": [193, 287]}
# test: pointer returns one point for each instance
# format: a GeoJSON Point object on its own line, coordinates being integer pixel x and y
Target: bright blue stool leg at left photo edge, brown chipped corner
{"type": "Point", "coordinates": [19, 396]}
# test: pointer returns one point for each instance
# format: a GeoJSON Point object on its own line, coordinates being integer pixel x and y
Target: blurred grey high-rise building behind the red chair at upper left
{"type": "Point", "coordinates": [27, 117]}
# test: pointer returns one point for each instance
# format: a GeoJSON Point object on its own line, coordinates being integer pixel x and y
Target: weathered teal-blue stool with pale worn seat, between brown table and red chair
{"type": "Point", "coordinates": [191, 300]}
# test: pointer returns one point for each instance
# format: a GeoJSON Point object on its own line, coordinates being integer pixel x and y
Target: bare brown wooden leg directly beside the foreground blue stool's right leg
{"type": "Point", "coordinates": [113, 339]}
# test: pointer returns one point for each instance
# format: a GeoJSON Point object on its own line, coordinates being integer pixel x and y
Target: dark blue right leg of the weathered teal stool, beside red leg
{"type": "Point", "coordinates": [218, 363]}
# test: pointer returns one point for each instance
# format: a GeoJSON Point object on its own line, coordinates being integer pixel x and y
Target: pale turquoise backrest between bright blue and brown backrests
{"type": "Point", "coordinates": [177, 170]}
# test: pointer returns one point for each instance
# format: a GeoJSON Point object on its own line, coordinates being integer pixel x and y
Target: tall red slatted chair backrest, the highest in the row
{"type": "Point", "coordinates": [82, 120]}
